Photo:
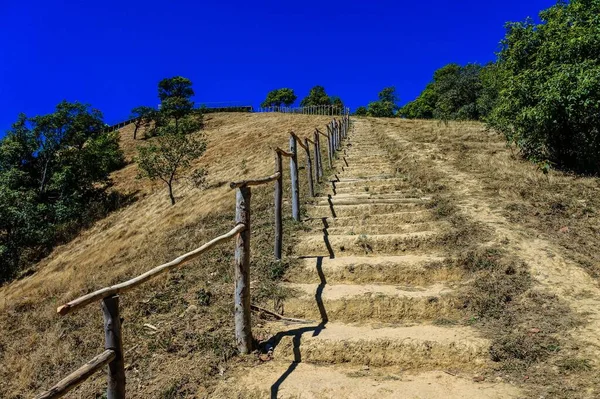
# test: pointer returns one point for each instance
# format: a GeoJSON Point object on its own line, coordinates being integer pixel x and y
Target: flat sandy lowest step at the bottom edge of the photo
{"type": "Point", "coordinates": [285, 380]}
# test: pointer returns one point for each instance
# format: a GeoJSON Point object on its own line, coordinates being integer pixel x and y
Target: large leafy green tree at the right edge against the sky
{"type": "Point", "coordinates": [549, 104]}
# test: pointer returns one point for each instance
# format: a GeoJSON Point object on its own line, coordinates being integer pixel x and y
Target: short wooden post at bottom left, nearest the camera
{"type": "Point", "coordinates": [114, 341]}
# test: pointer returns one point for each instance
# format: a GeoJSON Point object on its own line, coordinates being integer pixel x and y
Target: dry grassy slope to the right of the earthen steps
{"type": "Point", "coordinates": [469, 170]}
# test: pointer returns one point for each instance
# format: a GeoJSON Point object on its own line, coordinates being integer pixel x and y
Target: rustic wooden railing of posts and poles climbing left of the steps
{"type": "Point", "coordinates": [113, 354]}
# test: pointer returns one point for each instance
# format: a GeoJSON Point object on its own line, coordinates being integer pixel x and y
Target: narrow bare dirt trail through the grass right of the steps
{"type": "Point", "coordinates": [553, 272]}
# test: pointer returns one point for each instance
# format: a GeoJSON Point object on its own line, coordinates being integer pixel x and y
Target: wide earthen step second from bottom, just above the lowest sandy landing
{"type": "Point", "coordinates": [420, 347]}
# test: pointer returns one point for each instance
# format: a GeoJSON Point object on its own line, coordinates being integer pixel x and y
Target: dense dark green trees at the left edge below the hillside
{"type": "Point", "coordinates": [54, 171]}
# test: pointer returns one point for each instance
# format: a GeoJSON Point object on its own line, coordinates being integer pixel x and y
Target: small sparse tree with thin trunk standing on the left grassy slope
{"type": "Point", "coordinates": [164, 158]}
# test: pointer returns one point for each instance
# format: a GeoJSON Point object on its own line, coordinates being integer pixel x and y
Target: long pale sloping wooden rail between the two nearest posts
{"type": "Point", "coordinates": [134, 282]}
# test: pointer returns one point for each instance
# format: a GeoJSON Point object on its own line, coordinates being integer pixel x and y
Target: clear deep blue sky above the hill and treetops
{"type": "Point", "coordinates": [111, 54]}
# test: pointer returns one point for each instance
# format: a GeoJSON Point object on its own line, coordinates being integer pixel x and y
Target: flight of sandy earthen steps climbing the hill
{"type": "Point", "coordinates": [370, 283]}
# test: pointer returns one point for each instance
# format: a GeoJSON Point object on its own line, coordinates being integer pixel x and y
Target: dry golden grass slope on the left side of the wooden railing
{"type": "Point", "coordinates": [37, 347]}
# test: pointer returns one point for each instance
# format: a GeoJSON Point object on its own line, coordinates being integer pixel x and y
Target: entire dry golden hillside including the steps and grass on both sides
{"type": "Point", "coordinates": [441, 266]}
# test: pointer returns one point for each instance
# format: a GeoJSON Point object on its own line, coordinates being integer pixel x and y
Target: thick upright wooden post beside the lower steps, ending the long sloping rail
{"type": "Point", "coordinates": [243, 331]}
